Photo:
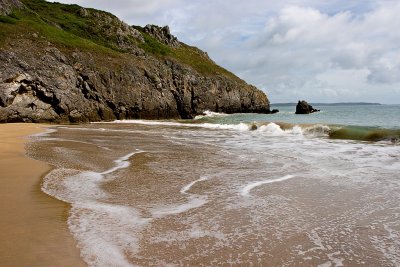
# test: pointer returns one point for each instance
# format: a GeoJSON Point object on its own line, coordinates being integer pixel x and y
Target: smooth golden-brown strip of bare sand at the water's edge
{"type": "Point", "coordinates": [33, 229]}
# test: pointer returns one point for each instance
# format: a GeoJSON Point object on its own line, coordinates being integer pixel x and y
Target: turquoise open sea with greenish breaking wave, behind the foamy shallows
{"type": "Point", "coordinates": [358, 122]}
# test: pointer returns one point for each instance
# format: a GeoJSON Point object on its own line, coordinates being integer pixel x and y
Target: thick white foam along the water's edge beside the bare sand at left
{"type": "Point", "coordinates": [101, 229]}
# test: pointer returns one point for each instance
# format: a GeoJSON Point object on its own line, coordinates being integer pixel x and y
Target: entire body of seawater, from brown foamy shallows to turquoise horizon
{"type": "Point", "coordinates": [232, 190]}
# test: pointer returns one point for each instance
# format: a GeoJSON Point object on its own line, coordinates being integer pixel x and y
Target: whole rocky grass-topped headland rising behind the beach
{"type": "Point", "coordinates": [94, 67]}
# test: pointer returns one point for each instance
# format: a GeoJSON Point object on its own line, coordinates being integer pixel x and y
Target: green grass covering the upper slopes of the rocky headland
{"type": "Point", "coordinates": [64, 26]}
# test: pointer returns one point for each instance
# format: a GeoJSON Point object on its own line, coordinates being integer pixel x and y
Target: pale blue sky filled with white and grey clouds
{"type": "Point", "coordinates": [317, 50]}
